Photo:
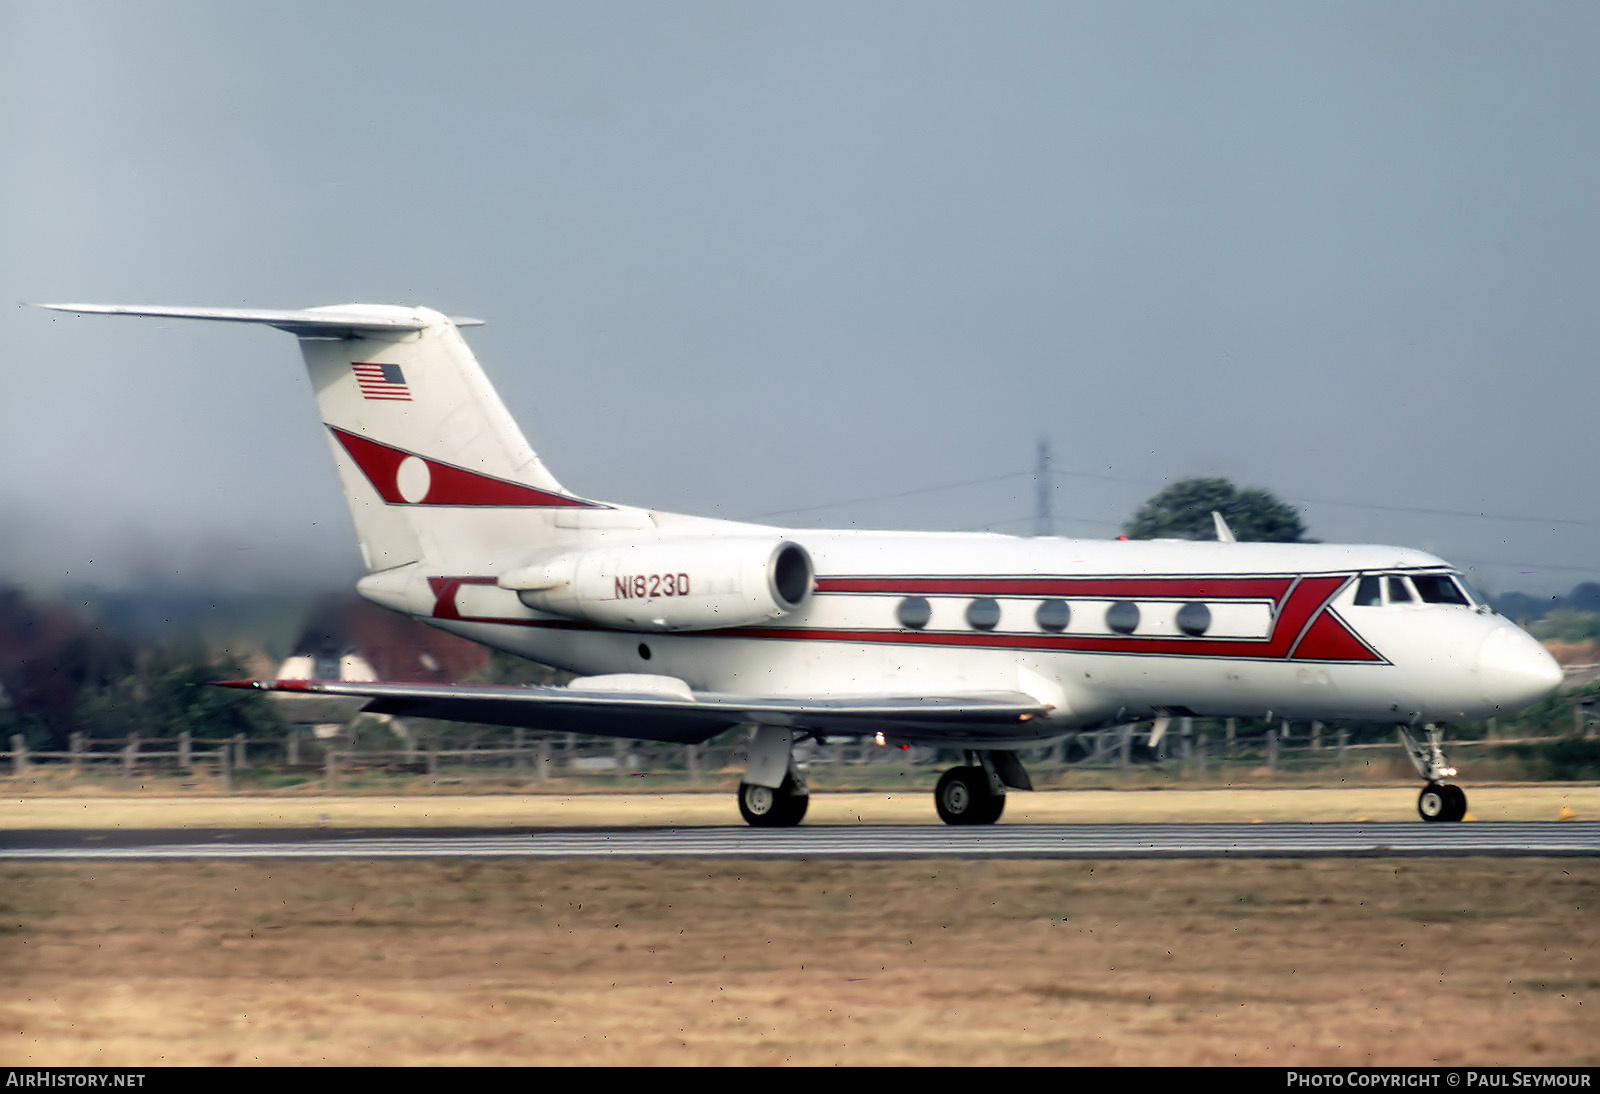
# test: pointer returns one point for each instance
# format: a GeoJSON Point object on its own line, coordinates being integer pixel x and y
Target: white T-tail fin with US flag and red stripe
{"type": "Point", "coordinates": [433, 466]}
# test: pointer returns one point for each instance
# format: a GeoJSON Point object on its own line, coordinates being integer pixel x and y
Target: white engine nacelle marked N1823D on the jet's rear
{"type": "Point", "coordinates": [673, 585]}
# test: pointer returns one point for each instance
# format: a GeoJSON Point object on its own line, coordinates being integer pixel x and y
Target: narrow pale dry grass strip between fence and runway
{"type": "Point", "coordinates": [1540, 802]}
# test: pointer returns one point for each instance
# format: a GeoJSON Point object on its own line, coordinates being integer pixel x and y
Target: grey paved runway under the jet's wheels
{"type": "Point", "coordinates": [842, 842]}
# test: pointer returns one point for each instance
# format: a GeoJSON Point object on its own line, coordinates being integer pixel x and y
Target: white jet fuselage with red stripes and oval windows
{"type": "Point", "coordinates": [1102, 631]}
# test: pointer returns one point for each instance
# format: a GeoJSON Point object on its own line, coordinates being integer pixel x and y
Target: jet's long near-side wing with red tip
{"type": "Point", "coordinates": [686, 717]}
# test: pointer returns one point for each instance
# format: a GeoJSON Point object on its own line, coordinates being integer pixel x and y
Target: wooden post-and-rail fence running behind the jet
{"type": "Point", "coordinates": [1190, 749]}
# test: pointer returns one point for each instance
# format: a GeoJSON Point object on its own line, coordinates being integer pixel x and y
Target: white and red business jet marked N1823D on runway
{"type": "Point", "coordinates": [684, 628]}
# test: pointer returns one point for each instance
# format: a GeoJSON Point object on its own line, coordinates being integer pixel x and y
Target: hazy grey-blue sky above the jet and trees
{"type": "Point", "coordinates": [751, 260]}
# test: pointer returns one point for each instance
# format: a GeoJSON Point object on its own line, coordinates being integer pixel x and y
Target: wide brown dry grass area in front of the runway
{"type": "Point", "coordinates": [938, 964]}
